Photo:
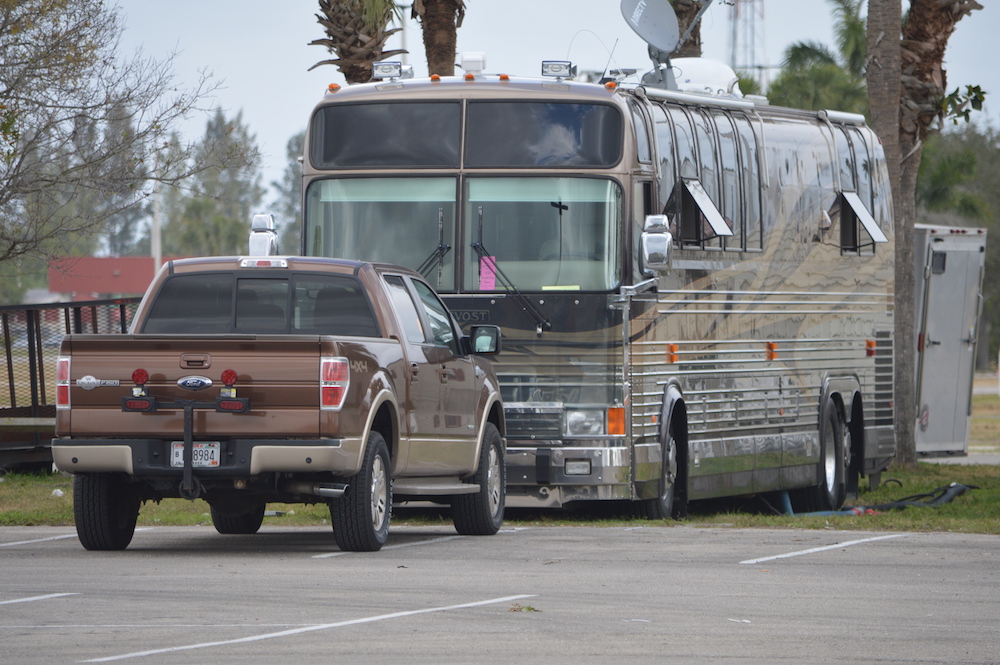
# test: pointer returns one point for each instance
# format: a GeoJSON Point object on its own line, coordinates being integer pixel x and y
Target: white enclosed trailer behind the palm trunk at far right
{"type": "Point", "coordinates": [949, 277]}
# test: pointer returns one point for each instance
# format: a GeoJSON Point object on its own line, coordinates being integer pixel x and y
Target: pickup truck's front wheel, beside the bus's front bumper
{"type": "Point", "coordinates": [481, 514]}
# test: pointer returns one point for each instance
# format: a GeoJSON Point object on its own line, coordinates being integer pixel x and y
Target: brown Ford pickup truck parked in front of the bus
{"type": "Point", "coordinates": [245, 381]}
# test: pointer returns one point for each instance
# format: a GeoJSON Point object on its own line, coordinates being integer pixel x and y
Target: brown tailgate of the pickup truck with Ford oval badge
{"type": "Point", "coordinates": [278, 374]}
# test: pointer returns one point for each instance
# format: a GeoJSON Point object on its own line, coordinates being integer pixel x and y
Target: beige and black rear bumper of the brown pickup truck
{"type": "Point", "coordinates": [240, 458]}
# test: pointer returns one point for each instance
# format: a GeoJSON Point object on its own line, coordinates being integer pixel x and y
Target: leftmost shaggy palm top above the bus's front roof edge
{"type": "Point", "coordinates": [356, 33]}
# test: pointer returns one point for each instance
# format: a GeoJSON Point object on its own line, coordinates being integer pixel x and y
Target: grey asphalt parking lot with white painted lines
{"type": "Point", "coordinates": [675, 594]}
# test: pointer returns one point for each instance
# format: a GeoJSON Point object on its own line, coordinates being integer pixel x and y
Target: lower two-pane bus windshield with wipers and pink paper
{"type": "Point", "coordinates": [532, 234]}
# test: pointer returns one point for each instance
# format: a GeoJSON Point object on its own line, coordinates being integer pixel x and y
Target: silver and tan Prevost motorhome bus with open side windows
{"type": "Point", "coordinates": [695, 290]}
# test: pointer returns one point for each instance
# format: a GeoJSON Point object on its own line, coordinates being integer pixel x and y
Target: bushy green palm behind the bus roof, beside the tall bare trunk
{"type": "Point", "coordinates": [814, 77]}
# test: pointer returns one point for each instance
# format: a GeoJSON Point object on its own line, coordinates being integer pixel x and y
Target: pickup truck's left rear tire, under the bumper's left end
{"type": "Point", "coordinates": [105, 510]}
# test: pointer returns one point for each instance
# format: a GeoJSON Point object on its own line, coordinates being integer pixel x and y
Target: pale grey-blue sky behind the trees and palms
{"type": "Point", "coordinates": [260, 49]}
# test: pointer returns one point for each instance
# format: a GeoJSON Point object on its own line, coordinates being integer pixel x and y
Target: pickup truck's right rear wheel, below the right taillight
{"type": "Point", "coordinates": [361, 517]}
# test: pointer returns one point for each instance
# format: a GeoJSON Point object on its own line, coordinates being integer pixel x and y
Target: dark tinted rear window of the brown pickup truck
{"type": "Point", "coordinates": [266, 303]}
